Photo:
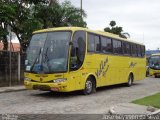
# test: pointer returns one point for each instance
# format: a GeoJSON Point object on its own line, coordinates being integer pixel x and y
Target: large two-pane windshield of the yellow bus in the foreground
{"type": "Point", "coordinates": [48, 52]}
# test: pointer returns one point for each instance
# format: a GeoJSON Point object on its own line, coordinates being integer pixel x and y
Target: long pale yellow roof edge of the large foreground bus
{"type": "Point", "coordinates": [107, 34]}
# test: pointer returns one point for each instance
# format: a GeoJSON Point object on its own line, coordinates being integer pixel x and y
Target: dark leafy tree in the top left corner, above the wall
{"type": "Point", "coordinates": [16, 14]}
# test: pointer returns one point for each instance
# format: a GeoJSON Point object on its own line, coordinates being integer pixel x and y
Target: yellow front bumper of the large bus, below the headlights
{"type": "Point", "coordinates": [59, 87]}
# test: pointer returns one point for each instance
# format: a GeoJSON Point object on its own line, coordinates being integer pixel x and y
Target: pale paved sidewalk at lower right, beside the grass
{"type": "Point", "coordinates": [130, 108]}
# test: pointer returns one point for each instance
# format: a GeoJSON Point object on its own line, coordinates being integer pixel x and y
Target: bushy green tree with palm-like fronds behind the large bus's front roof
{"type": "Point", "coordinates": [58, 15]}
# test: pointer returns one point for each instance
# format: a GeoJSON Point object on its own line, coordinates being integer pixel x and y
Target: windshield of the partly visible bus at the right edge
{"type": "Point", "coordinates": [154, 62]}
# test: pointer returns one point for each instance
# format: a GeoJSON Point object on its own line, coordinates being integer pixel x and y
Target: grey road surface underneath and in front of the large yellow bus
{"type": "Point", "coordinates": [38, 102]}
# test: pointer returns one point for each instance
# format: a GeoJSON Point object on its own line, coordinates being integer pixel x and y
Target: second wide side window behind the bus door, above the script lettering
{"type": "Point", "coordinates": [106, 45]}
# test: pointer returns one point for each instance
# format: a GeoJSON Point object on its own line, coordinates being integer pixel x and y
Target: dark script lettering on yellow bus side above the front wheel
{"type": "Point", "coordinates": [103, 69]}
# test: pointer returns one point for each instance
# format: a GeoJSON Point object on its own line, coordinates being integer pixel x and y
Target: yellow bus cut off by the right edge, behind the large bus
{"type": "Point", "coordinates": [154, 65]}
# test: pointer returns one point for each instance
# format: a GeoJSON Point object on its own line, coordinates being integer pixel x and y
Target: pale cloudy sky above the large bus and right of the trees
{"type": "Point", "coordinates": [140, 18]}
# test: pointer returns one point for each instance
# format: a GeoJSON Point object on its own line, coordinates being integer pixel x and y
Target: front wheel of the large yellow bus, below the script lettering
{"type": "Point", "coordinates": [90, 86]}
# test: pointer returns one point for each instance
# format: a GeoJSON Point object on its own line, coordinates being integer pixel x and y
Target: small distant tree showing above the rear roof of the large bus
{"type": "Point", "coordinates": [116, 30]}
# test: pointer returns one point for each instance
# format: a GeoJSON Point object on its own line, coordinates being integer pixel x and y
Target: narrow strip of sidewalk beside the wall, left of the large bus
{"type": "Point", "coordinates": [12, 88]}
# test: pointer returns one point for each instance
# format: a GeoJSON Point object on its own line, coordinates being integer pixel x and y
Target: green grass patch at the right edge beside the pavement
{"type": "Point", "coordinates": [153, 100]}
